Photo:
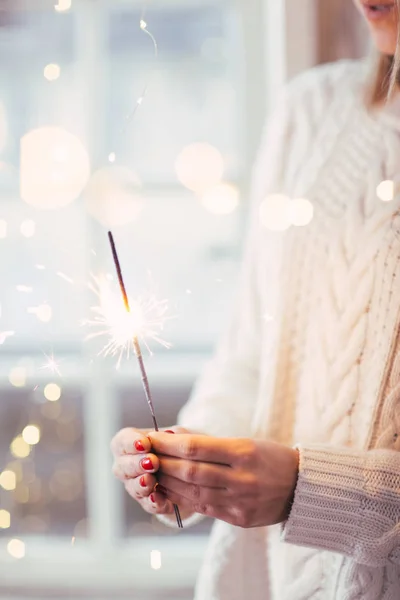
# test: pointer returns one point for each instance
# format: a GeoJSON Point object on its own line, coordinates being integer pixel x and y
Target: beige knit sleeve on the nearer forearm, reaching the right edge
{"type": "Point", "coordinates": [347, 501]}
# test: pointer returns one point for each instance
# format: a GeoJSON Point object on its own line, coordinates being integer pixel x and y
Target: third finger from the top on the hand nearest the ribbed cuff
{"type": "Point", "coordinates": [195, 494]}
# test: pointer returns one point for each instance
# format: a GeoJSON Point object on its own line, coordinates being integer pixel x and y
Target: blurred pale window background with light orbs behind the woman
{"type": "Point", "coordinates": [96, 132]}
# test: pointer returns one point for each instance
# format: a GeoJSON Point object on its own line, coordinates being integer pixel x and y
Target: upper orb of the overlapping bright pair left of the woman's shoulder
{"type": "Point", "coordinates": [199, 167]}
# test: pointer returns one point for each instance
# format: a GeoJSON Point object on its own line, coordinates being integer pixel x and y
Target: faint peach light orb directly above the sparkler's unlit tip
{"type": "Point", "coordinates": [112, 196]}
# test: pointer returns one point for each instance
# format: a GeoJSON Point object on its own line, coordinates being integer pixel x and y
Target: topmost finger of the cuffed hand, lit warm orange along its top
{"type": "Point", "coordinates": [195, 447]}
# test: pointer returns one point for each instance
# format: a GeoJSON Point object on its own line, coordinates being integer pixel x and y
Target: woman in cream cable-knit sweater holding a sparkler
{"type": "Point", "coordinates": [320, 520]}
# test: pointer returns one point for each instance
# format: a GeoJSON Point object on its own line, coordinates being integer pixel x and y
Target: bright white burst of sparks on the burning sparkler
{"type": "Point", "coordinates": [145, 321]}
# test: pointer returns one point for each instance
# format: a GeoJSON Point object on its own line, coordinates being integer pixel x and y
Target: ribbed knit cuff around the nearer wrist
{"type": "Point", "coordinates": [326, 512]}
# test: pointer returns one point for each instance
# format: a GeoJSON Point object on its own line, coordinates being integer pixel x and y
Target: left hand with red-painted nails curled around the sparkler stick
{"type": "Point", "coordinates": [136, 466]}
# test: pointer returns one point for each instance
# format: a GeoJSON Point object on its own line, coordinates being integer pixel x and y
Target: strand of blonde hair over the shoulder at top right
{"type": "Point", "coordinates": [386, 75]}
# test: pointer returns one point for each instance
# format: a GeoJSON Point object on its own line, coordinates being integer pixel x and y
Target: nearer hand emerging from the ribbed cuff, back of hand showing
{"type": "Point", "coordinates": [248, 483]}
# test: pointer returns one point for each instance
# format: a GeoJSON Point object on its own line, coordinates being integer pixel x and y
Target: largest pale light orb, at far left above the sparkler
{"type": "Point", "coordinates": [55, 168]}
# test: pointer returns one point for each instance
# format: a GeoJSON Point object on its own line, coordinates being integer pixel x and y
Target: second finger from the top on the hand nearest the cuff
{"type": "Point", "coordinates": [205, 474]}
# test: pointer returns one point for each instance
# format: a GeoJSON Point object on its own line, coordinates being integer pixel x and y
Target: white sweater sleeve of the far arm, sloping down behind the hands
{"type": "Point", "coordinates": [224, 396]}
